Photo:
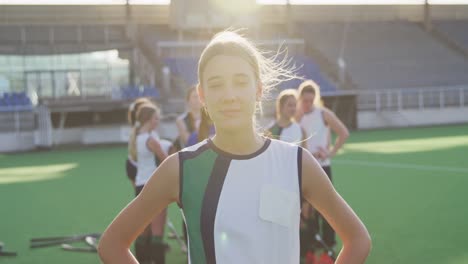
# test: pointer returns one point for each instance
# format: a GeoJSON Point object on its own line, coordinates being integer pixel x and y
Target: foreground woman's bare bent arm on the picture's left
{"type": "Point", "coordinates": [161, 190]}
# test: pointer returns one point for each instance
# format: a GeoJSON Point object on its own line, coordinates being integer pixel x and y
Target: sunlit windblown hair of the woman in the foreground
{"type": "Point", "coordinates": [269, 71]}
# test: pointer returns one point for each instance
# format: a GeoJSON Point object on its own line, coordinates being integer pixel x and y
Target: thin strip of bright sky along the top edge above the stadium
{"type": "Point", "coordinates": [164, 2]}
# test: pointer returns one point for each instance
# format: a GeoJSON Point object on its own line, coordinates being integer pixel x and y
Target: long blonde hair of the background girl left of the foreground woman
{"type": "Point", "coordinates": [143, 115]}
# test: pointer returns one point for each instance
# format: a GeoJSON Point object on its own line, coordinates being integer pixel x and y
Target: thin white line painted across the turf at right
{"type": "Point", "coordinates": [402, 166]}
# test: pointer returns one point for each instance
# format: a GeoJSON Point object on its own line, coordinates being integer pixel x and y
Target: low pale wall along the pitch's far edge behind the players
{"type": "Point", "coordinates": [24, 141]}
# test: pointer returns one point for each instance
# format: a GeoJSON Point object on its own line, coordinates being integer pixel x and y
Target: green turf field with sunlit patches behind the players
{"type": "Point", "coordinates": [407, 185]}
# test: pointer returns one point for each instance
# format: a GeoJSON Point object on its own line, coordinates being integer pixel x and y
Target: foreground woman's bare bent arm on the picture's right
{"type": "Point", "coordinates": [319, 192]}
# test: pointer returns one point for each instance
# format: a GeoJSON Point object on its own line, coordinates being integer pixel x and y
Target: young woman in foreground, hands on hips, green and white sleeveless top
{"type": "Point", "coordinates": [240, 193]}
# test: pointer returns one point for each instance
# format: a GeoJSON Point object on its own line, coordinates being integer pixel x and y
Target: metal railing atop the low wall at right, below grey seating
{"type": "Point", "coordinates": [412, 98]}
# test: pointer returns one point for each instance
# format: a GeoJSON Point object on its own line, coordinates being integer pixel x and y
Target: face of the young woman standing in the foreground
{"type": "Point", "coordinates": [229, 90]}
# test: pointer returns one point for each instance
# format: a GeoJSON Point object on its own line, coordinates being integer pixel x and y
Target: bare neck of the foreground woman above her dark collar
{"type": "Point", "coordinates": [242, 142]}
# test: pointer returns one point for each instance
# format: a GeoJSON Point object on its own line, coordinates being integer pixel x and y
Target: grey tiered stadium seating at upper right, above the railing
{"type": "Point", "coordinates": [385, 55]}
